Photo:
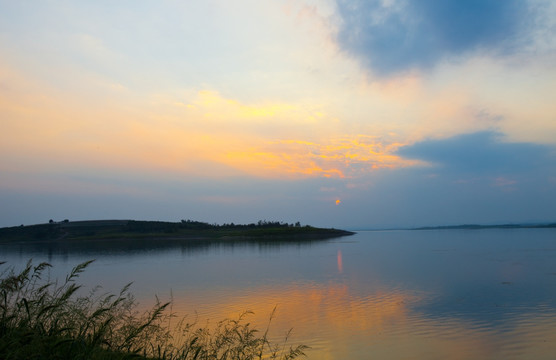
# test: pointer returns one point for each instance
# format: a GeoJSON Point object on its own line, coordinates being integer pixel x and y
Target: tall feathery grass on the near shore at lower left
{"type": "Point", "coordinates": [41, 319]}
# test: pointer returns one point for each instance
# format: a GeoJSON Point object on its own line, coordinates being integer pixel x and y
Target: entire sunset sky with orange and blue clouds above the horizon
{"type": "Point", "coordinates": [335, 113]}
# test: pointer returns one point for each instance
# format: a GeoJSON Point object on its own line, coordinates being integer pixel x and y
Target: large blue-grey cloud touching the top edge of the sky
{"type": "Point", "coordinates": [391, 37]}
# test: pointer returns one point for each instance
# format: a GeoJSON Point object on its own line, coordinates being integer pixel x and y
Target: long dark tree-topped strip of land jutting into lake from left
{"type": "Point", "coordinates": [154, 230]}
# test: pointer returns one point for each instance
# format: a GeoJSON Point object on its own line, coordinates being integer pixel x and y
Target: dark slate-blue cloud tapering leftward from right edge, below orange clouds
{"type": "Point", "coordinates": [480, 152]}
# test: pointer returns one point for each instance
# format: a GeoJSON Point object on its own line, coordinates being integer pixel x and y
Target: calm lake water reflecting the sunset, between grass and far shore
{"type": "Point", "coordinates": [450, 294]}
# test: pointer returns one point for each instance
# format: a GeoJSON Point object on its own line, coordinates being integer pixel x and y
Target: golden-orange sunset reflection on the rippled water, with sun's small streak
{"type": "Point", "coordinates": [381, 319]}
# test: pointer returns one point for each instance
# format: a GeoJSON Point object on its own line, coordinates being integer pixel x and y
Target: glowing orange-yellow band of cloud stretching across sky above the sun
{"type": "Point", "coordinates": [205, 134]}
